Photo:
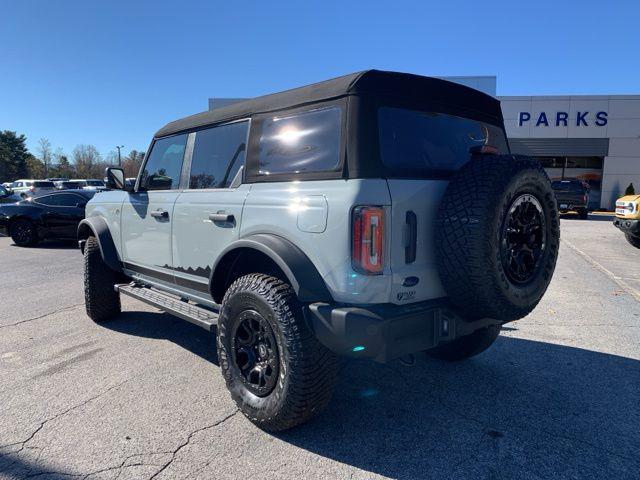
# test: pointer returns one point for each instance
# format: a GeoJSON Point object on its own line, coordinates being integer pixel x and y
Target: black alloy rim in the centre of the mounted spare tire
{"type": "Point", "coordinates": [523, 239]}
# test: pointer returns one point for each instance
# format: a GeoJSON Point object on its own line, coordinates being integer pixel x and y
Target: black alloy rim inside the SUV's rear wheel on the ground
{"type": "Point", "coordinates": [255, 353]}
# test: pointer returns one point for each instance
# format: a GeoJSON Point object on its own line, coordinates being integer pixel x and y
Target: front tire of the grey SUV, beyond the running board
{"type": "Point", "coordinates": [102, 302]}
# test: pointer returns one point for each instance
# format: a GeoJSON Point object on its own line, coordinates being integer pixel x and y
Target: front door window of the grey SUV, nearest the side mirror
{"type": "Point", "coordinates": [162, 170]}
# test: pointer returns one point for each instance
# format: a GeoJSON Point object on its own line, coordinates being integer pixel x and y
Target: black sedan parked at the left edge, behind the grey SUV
{"type": "Point", "coordinates": [53, 215]}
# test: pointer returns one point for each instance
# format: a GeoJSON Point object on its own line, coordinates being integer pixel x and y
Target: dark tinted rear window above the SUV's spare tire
{"type": "Point", "coordinates": [430, 143]}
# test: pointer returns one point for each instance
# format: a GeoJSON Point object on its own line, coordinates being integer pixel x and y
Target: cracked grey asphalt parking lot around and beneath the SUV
{"type": "Point", "coordinates": [558, 396]}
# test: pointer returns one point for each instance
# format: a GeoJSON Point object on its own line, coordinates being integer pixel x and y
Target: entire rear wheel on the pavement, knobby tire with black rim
{"type": "Point", "coordinates": [278, 374]}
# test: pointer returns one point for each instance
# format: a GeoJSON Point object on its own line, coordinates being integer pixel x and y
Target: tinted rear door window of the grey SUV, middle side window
{"type": "Point", "coordinates": [218, 154]}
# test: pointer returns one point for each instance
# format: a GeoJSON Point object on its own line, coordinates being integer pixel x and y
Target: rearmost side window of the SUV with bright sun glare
{"type": "Point", "coordinates": [305, 142]}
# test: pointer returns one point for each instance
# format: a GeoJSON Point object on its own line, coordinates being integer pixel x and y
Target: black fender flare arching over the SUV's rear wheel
{"type": "Point", "coordinates": [292, 261]}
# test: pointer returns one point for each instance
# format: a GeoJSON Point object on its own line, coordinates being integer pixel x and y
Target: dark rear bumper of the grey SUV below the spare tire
{"type": "Point", "coordinates": [386, 332]}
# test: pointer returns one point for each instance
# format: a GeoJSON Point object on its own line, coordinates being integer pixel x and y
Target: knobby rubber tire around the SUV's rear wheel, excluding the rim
{"type": "Point", "coordinates": [307, 370]}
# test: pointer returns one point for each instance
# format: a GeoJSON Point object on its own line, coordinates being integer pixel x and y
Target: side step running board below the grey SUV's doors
{"type": "Point", "coordinates": [187, 311]}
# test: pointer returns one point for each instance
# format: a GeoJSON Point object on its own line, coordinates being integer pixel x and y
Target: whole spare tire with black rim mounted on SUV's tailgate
{"type": "Point", "coordinates": [497, 237]}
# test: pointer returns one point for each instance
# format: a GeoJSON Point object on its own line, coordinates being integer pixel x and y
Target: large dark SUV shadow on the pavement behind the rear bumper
{"type": "Point", "coordinates": [523, 409]}
